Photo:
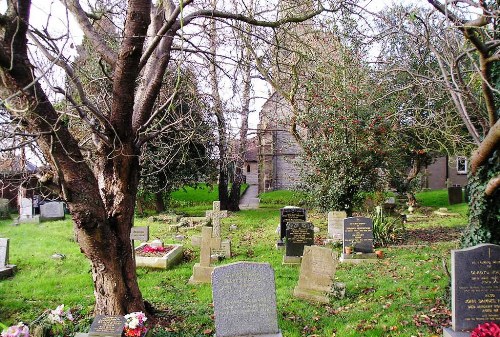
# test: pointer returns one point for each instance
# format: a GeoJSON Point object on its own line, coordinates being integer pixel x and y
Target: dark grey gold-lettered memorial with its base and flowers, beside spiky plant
{"type": "Point", "coordinates": [358, 235]}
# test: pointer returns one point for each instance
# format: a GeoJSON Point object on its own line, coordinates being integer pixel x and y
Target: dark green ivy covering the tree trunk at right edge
{"type": "Point", "coordinates": [484, 211]}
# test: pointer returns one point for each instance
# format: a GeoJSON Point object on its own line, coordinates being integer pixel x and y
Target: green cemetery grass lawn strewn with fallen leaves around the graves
{"type": "Point", "coordinates": [403, 294]}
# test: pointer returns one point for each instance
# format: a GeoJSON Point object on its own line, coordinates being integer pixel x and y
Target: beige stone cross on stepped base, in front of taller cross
{"type": "Point", "coordinates": [203, 270]}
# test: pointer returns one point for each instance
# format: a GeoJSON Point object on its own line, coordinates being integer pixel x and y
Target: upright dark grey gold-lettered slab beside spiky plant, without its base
{"type": "Point", "coordinates": [359, 230]}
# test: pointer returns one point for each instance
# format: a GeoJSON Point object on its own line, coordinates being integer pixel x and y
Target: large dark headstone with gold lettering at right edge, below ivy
{"type": "Point", "coordinates": [475, 288]}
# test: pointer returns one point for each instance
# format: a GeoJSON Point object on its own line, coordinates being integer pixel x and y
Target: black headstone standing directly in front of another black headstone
{"type": "Point", "coordinates": [298, 235]}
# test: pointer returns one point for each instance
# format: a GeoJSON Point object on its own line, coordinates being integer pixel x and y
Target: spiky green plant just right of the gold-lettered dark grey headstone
{"type": "Point", "coordinates": [387, 230]}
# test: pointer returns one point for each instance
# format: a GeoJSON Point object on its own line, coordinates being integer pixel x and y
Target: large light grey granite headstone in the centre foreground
{"type": "Point", "coordinates": [244, 297]}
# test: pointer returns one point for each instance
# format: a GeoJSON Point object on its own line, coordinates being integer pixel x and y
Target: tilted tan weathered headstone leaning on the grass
{"type": "Point", "coordinates": [316, 274]}
